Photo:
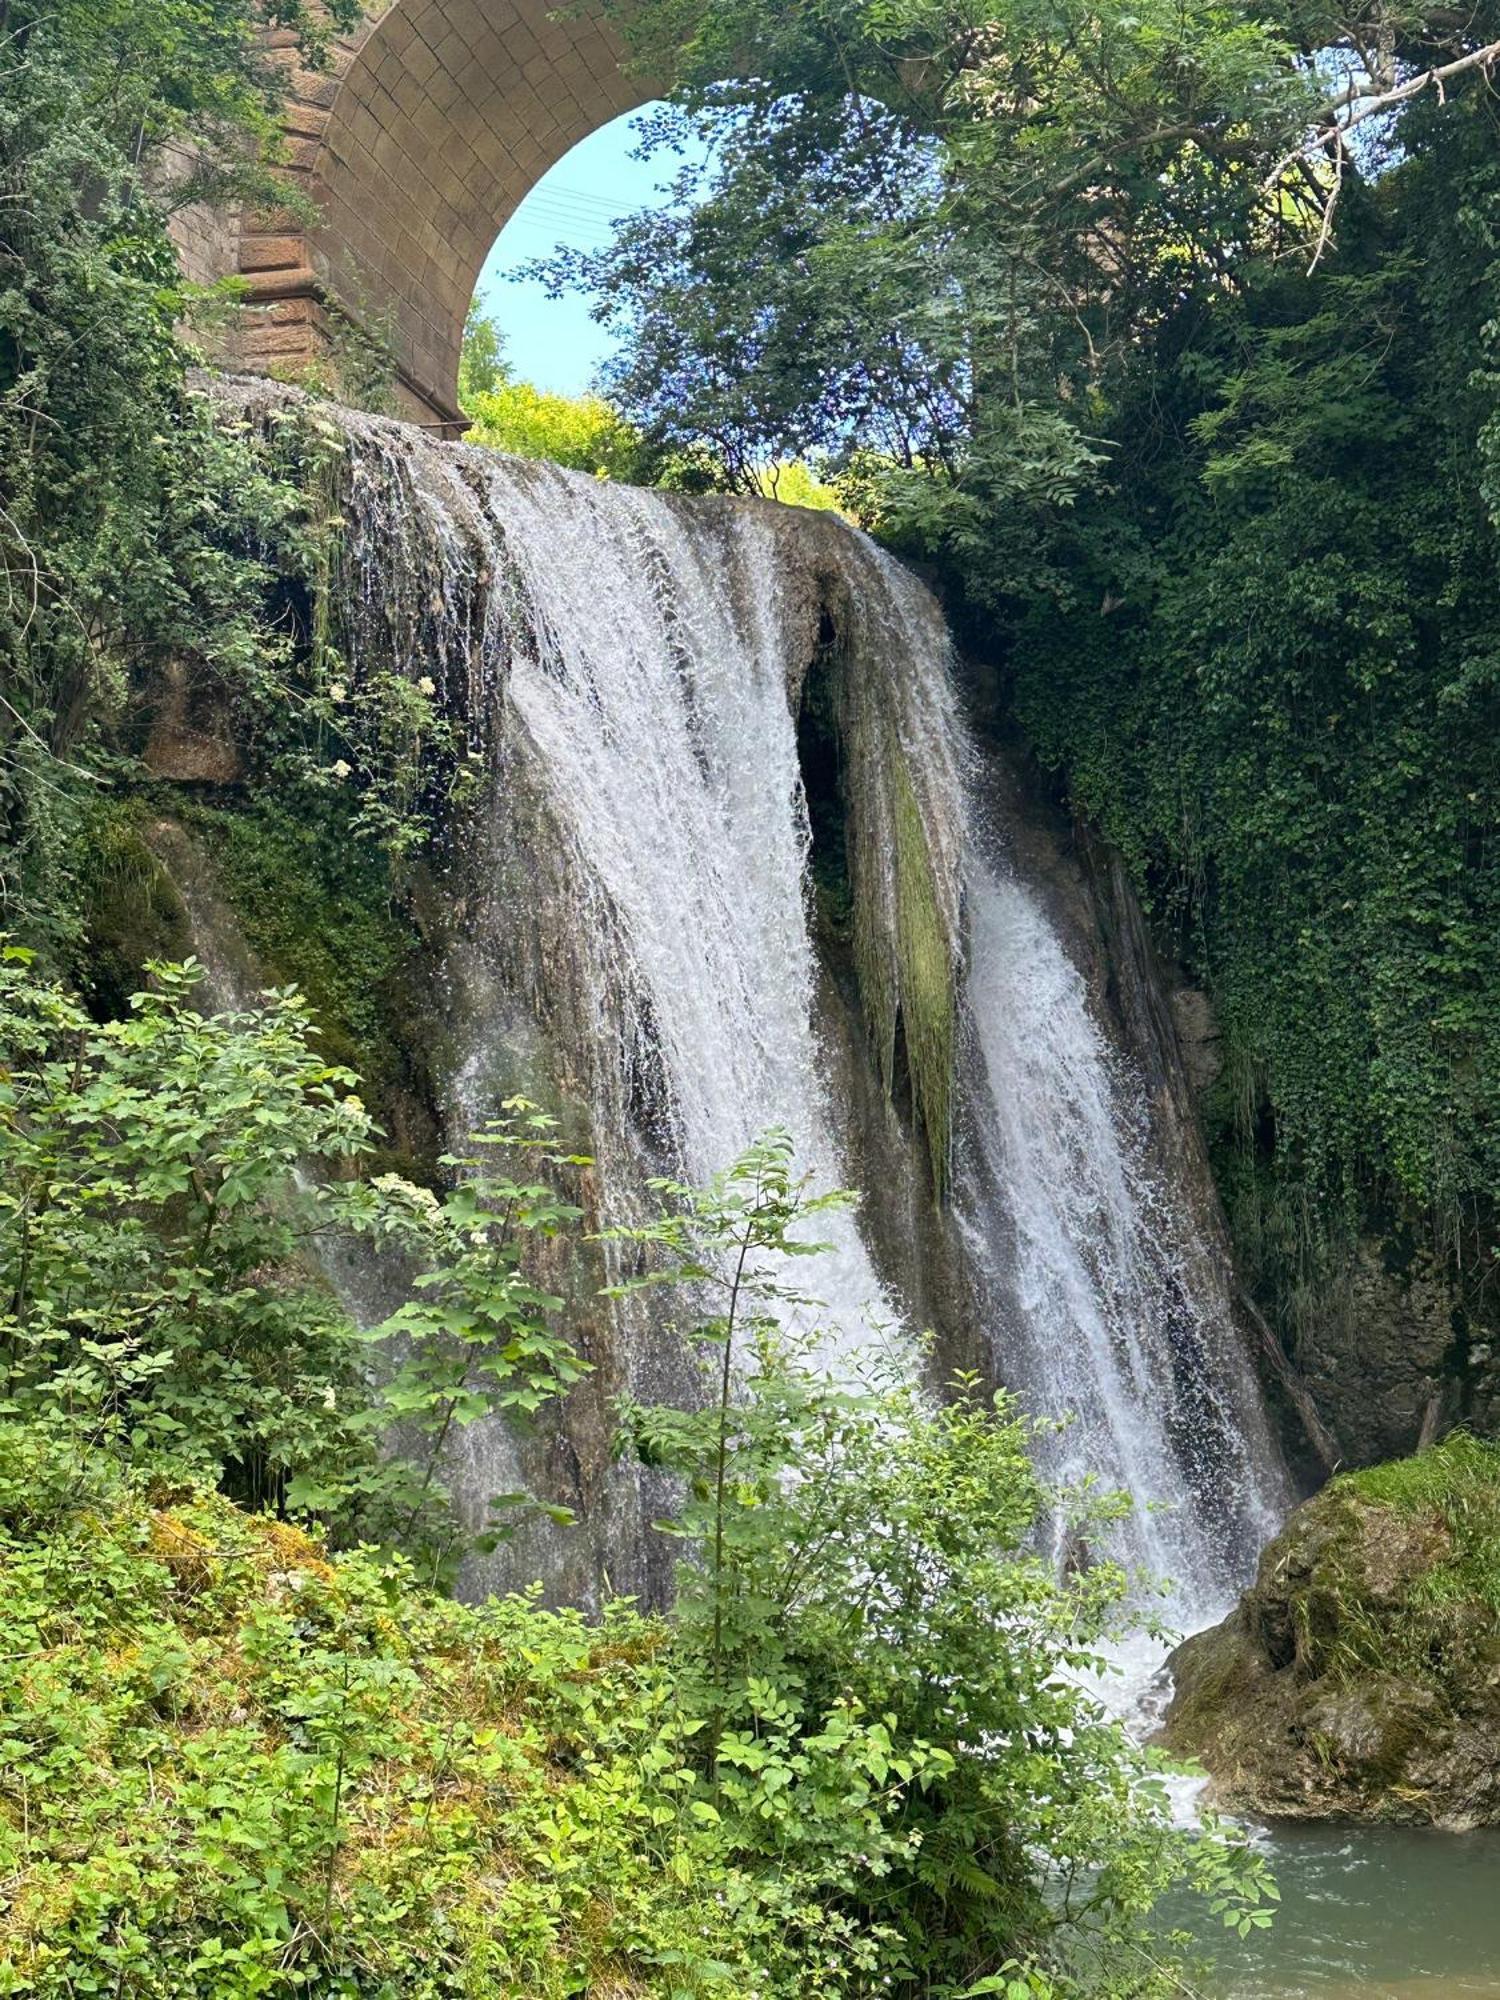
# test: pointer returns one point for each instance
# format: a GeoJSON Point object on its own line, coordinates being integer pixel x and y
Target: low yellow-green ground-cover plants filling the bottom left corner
{"type": "Point", "coordinates": [231, 1767]}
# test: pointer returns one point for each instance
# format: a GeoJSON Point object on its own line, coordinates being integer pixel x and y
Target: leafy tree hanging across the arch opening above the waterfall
{"type": "Point", "coordinates": [935, 231]}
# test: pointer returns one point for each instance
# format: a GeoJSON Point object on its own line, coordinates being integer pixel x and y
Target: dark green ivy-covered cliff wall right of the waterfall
{"type": "Point", "coordinates": [1269, 677]}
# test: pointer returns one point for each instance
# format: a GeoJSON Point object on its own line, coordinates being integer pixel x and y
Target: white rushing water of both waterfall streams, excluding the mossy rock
{"type": "Point", "coordinates": [659, 703]}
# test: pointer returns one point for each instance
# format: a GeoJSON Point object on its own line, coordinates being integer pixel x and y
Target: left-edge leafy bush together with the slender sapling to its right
{"type": "Point", "coordinates": [171, 1185]}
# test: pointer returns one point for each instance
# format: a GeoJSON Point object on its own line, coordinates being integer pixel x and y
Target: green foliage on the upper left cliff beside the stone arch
{"type": "Point", "coordinates": [115, 481]}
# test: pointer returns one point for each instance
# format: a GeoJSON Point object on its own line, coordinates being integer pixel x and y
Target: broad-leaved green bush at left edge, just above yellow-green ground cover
{"type": "Point", "coordinates": [157, 1227]}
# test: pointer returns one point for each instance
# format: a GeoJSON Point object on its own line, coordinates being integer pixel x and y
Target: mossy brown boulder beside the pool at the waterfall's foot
{"type": "Point", "coordinates": [1361, 1677]}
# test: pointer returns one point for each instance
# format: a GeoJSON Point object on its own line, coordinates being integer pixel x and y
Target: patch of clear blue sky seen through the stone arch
{"type": "Point", "coordinates": [555, 343]}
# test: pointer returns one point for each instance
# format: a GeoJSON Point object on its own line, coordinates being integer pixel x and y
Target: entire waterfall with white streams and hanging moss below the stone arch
{"type": "Point", "coordinates": [633, 669]}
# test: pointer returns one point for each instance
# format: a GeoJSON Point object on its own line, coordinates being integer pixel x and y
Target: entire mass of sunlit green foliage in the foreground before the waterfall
{"type": "Point", "coordinates": [861, 1759]}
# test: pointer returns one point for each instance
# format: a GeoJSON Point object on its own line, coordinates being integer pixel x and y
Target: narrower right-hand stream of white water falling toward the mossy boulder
{"type": "Point", "coordinates": [1097, 1303]}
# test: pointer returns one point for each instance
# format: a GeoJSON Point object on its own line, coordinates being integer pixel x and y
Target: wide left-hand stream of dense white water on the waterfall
{"type": "Point", "coordinates": [657, 697]}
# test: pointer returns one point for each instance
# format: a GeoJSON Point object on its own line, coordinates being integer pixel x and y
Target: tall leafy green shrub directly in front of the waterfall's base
{"type": "Point", "coordinates": [883, 1679]}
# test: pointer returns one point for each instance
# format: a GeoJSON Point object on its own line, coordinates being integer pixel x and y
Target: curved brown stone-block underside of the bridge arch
{"type": "Point", "coordinates": [417, 147]}
